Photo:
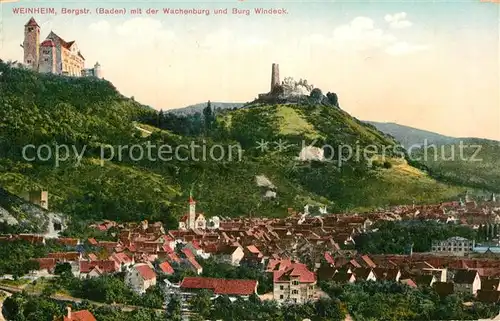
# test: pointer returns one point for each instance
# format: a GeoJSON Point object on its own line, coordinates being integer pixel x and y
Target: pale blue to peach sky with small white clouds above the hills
{"type": "Point", "coordinates": [427, 64]}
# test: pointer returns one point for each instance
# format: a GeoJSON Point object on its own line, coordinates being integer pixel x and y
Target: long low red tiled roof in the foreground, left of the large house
{"type": "Point", "coordinates": [220, 286]}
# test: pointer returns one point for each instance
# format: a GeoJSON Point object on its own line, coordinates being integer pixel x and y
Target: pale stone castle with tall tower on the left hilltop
{"type": "Point", "coordinates": [54, 54]}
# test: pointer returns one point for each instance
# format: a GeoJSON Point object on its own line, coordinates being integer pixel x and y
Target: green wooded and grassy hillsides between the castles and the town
{"type": "Point", "coordinates": [85, 112]}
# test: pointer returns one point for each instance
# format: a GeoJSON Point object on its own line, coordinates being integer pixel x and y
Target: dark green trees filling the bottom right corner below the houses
{"type": "Point", "coordinates": [392, 301]}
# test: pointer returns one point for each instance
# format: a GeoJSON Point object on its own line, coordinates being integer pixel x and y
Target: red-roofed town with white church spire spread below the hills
{"type": "Point", "coordinates": [302, 266]}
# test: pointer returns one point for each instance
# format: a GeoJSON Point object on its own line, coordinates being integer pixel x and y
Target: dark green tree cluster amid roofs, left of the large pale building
{"type": "Point", "coordinates": [396, 237]}
